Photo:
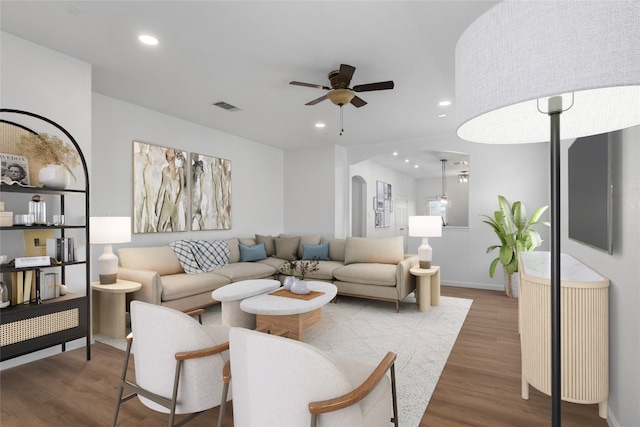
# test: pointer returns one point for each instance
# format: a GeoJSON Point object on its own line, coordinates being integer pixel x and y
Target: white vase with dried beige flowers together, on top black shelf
{"type": "Point", "coordinates": [59, 156]}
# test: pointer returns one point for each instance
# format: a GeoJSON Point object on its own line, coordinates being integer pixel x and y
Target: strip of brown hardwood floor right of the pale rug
{"type": "Point", "coordinates": [480, 385]}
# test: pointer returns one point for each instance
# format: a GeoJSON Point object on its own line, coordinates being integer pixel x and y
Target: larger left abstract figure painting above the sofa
{"type": "Point", "coordinates": [159, 189]}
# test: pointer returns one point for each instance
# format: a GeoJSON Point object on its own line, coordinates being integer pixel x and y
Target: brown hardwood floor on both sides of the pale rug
{"type": "Point", "coordinates": [480, 385]}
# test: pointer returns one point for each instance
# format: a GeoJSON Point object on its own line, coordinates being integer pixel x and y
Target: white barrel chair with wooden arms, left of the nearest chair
{"type": "Point", "coordinates": [178, 362]}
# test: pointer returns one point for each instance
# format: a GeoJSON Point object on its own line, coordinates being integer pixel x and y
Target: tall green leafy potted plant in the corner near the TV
{"type": "Point", "coordinates": [516, 234]}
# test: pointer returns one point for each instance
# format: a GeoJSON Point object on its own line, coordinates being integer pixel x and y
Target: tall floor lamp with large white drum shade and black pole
{"type": "Point", "coordinates": [524, 61]}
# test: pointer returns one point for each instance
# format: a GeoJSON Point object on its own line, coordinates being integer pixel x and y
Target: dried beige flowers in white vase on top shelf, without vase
{"type": "Point", "coordinates": [50, 149]}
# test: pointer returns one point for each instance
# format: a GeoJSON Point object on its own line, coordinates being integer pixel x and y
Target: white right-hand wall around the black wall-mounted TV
{"type": "Point", "coordinates": [623, 270]}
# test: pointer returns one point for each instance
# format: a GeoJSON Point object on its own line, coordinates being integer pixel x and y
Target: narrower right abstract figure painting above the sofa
{"type": "Point", "coordinates": [210, 193]}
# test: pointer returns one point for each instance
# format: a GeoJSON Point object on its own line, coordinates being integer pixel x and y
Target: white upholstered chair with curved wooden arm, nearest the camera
{"type": "Point", "coordinates": [283, 382]}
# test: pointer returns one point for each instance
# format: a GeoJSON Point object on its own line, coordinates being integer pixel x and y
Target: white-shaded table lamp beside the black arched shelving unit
{"type": "Point", "coordinates": [106, 230]}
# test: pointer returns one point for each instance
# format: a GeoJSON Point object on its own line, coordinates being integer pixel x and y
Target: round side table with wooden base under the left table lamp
{"type": "Point", "coordinates": [109, 307]}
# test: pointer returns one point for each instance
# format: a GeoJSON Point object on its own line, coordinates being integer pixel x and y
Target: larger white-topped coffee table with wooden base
{"type": "Point", "coordinates": [290, 313]}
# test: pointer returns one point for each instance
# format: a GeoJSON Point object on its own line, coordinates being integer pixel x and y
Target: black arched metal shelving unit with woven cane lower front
{"type": "Point", "coordinates": [33, 326]}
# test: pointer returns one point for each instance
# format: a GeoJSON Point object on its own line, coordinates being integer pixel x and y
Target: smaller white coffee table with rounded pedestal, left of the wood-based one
{"type": "Point", "coordinates": [230, 297]}
